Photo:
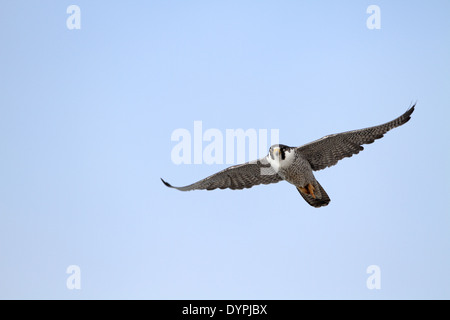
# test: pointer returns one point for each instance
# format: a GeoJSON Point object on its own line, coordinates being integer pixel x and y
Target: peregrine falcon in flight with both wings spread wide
{"type": "Point", "coordinates": [296, 164]}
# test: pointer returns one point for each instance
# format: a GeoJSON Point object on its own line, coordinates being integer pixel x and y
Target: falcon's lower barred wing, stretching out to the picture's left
{"type": "Point", "coordinates": [240, 176]}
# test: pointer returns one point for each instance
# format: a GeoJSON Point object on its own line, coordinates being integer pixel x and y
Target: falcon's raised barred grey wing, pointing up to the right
{"type": "Point", "coordinates": [328, 150]}
